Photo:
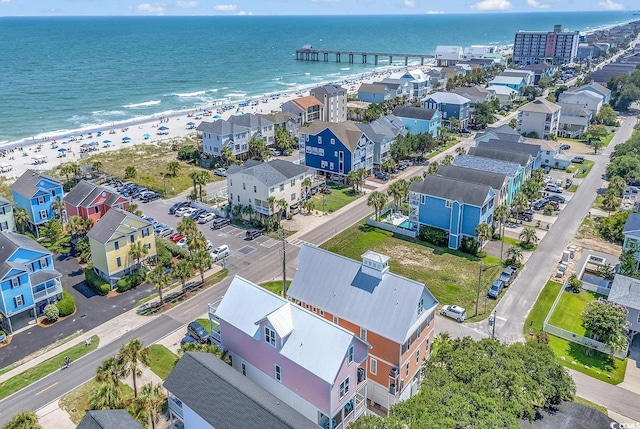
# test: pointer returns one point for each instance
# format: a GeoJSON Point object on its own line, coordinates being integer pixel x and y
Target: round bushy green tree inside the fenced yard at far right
{"type": "Point", "coordinates": [608, 322]}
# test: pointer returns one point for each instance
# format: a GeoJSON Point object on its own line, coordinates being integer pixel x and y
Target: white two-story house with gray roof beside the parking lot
{"type": "Point", "coordinates": [253, 183]}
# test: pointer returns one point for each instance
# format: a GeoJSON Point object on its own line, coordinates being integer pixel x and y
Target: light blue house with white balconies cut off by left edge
{"type": "Point", "coordinates": [28, 281]}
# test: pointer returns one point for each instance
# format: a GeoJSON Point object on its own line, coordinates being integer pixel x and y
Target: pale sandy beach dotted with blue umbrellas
{"type": "Point", "coordinates": [44, 153]}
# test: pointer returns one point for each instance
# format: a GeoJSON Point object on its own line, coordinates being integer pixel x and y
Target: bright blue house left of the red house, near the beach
{"type": "Point", "coordinates": [35, 192]}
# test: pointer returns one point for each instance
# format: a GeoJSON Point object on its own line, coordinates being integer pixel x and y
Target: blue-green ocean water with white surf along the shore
{"type": "Point", "coordinates": [65, 73]}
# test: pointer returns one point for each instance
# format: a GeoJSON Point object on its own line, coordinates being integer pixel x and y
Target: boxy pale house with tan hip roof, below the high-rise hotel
{"type": "Point", "coordinates": [539, 118]}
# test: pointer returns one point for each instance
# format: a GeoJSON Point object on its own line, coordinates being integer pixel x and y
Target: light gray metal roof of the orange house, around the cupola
{"type": "Point", "coordinates": [387, 306]}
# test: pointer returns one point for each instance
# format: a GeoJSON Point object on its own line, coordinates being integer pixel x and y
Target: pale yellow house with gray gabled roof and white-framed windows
{"type": "Point", "coordinates": [110, 240]}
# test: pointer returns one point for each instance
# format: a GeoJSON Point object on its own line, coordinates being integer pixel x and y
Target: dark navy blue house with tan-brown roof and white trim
{"type": "Point", "coordinates": [336, 147]}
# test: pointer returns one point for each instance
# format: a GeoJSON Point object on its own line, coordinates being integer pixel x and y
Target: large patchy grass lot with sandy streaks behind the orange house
{"type": "Point", "coordinates": [452, 276]}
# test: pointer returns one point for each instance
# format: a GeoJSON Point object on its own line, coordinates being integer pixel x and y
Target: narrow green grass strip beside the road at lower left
{"type": "Point", "coordinates": [45, 368]}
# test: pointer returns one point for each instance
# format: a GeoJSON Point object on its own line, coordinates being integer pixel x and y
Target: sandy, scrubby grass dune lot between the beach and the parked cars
{"type": "Point", "coordinates": [151, 163]}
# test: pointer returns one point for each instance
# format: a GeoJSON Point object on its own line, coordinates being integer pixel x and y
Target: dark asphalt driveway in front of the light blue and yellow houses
{"type": "Point", "coordinates": [91, 310]}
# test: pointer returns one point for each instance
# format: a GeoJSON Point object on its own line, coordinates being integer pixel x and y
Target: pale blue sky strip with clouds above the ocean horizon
{"type": "Point", "coordinates": [297, 7]}
